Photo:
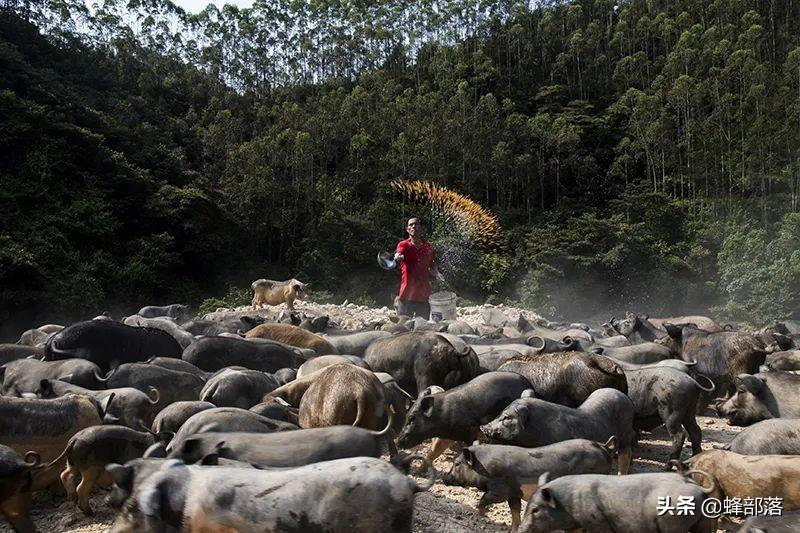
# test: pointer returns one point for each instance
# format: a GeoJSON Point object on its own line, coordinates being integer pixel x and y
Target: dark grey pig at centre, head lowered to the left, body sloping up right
{"type": "Point", "coordinates": [456, 414]}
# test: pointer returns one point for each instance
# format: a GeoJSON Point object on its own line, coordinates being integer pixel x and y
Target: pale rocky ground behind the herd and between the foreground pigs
{"type": "Point", "coordinates": [443, 508]}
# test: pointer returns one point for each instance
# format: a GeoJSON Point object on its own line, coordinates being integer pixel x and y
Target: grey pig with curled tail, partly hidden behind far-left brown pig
{"type": "Point", "coordinates": [130, 407]}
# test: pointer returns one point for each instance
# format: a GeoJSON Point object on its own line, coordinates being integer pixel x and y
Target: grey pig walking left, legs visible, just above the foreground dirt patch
{"type": "Point", "coordinates": [509, 473]}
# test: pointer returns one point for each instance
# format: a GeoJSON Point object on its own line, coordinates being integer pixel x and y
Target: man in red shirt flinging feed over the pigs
{"type": "Point", "coordinates": [416, 258]}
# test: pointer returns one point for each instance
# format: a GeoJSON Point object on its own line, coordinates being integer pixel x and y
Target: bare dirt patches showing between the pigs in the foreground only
{"type": "Point", "coordinates": [443, 508]}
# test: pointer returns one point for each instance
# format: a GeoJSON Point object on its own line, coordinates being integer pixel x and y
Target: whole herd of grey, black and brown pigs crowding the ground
{"type": "Point", "coordinates": [292, 424]}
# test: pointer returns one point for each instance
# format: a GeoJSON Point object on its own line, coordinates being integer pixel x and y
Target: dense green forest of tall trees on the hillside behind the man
{"type": "Point", "coordinates": [640, 155]}
